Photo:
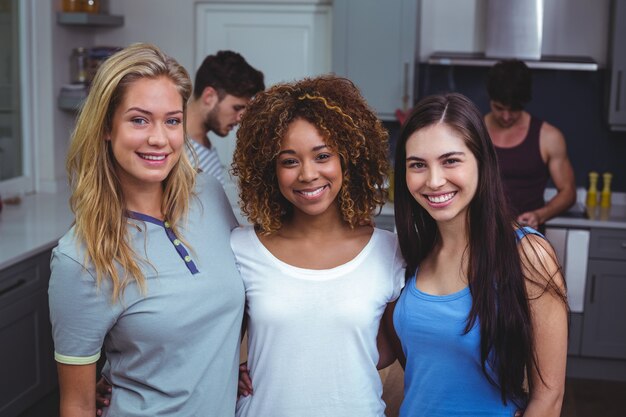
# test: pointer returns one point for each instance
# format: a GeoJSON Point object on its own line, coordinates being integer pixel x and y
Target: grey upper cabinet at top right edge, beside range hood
{"type": "Point", "coordinates": [617, 100]}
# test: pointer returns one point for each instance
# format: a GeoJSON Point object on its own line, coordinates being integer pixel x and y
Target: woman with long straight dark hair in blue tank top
{"type": "Point", "coordinates": [482, 321]}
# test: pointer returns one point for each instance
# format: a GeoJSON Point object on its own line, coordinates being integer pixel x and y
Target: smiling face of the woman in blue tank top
{"type": "Point", "coordinates": [441, 172]}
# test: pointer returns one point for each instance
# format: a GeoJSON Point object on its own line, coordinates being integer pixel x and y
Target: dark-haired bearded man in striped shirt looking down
{"type": "Point", "coordinates": [224, 85]}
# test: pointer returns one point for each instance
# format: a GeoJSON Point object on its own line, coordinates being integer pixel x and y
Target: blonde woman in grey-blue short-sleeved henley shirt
{"type": "Point", "coordinates": [146, 272]}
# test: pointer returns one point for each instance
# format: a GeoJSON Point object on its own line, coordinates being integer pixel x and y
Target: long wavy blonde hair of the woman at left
{"type": "Point", "coordinates": [97, 200]}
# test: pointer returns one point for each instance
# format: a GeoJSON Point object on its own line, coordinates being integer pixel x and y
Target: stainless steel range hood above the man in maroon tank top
{"type": "Point", "coordinates": [514, 30]}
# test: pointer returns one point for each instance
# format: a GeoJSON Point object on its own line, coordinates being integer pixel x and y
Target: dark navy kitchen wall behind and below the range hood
{"type": "Point", "coordinates": [573, 101]}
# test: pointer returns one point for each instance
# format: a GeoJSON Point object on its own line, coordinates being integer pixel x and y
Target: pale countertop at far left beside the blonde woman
{"type": "Point", "coordinates": [33, 226]}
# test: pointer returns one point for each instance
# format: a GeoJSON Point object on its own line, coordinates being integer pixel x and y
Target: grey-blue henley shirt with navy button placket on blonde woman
{"type": "Point", "coordinates": [175, 350]}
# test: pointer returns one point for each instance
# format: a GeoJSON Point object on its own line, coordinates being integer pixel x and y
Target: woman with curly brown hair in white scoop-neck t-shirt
{"type": "Point", "coordinates": [311, 159]}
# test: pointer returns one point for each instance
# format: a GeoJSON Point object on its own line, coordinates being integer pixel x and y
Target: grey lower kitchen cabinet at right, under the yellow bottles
{"type": "Point", "coordinates": [604, 333]}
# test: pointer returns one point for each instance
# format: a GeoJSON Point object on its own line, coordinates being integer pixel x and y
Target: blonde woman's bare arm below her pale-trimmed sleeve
{"type": "Point", "coordinates": [77, 388]}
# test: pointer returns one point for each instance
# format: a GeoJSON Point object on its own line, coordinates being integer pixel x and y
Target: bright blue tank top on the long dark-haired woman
{"type": "Point", "coordinates": [443, 374]}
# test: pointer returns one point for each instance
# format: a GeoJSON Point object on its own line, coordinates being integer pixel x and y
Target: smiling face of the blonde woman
{"type": "Point", "coordinates": [147, 133]}
